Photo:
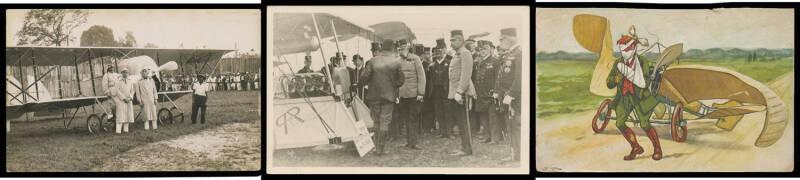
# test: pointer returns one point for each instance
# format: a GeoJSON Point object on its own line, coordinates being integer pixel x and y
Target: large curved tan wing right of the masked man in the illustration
{"type": "Point", "coordinates": [688, 83]}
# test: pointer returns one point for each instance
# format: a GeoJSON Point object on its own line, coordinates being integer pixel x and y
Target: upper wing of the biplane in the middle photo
{"type": "Point", "coordinates": [295, 32]}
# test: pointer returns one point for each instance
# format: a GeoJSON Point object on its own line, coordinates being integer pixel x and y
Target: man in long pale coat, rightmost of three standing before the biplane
{"type": "Point", "coordinates": [147, 96]}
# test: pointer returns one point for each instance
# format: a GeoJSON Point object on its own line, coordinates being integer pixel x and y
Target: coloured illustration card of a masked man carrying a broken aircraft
{"type": "Point", "coordinates": [665, 90]}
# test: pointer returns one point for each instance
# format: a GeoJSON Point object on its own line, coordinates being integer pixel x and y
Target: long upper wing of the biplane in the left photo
{"type": "Point", "coordinates": [67, 56]}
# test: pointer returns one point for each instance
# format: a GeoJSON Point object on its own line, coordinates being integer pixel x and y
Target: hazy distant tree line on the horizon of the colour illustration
{"type": "Point", "coordinates": [711, 54]}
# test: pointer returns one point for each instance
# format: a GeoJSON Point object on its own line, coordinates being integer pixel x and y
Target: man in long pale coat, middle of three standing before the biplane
{"type": "Point", "coordinates": [123, 97]}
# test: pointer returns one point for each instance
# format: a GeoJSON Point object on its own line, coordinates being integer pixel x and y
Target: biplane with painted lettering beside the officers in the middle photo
{"type": "Point", "coordinates": [305, 117]}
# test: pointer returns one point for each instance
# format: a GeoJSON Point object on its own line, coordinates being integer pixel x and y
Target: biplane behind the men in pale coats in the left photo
{"type": "Point", "coordinates": [24, 97]}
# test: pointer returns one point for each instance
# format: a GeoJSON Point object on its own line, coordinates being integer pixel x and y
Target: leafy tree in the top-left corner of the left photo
{"type": "Point", "coordinates": [48, 27]}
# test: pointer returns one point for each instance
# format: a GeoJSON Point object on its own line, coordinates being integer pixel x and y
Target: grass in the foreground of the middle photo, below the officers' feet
{"type": "Point", "coordinates": [434, 153]}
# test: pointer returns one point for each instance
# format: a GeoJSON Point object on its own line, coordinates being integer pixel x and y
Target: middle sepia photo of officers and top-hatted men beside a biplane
{"type": "Point", "coordinates": [398, 90]}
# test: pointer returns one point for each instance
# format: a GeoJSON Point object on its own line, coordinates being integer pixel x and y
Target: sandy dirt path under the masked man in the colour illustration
{"type": "Point", "coordinates": [567, 143]}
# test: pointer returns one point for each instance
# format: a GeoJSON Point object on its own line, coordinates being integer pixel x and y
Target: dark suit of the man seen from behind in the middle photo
{"type": "Point", "coordinates": [383, 76]}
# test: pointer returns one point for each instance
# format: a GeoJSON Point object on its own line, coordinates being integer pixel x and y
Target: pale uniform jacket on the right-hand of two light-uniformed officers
{"type": "Point", "coordinates": [461, 74]}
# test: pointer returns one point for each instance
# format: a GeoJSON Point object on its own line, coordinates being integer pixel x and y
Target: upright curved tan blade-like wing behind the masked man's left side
{"type": "Point", "coordinates": [593, 33]}
